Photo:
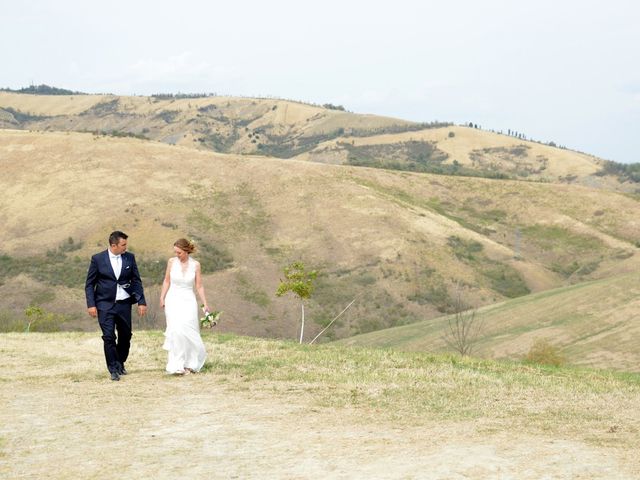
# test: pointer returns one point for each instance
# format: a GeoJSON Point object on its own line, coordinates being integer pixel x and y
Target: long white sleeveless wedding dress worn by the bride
{"type": "Point", "coordinates": [182, 336]}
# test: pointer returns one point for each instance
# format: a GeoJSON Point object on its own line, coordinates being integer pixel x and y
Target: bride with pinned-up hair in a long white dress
{"type": "Point", "coordinates": [182, 336]}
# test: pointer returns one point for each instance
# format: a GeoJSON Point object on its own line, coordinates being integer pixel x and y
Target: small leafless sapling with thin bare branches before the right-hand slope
{"type": "Point", "coordinates": [463, 327]}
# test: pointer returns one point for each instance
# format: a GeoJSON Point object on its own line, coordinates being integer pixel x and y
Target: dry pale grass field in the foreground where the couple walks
{"type": "Point", "coordinates": [272, 409]}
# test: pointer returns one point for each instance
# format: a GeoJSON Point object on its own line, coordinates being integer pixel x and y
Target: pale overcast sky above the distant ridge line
{"type": "Point", "coordinates": [562, 71]}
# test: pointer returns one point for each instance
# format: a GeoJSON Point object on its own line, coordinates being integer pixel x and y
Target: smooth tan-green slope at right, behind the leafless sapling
{"type": "Point", "coordinates": [593, 323]}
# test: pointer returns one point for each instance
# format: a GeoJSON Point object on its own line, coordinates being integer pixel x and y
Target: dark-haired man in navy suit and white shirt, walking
{"type": "Point", "coordinates": [113, 285]}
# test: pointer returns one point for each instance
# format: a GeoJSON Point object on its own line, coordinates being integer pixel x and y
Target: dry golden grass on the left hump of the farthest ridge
{"type": "Point", "coordinates": [171, 120]}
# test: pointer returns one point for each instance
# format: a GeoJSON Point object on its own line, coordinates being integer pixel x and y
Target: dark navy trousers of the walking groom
{"type": "Point", "coordinates": [116, 334]}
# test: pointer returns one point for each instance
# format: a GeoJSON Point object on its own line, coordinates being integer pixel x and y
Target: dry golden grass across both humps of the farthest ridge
{"type": "Point", "coordinates": [213, 123]}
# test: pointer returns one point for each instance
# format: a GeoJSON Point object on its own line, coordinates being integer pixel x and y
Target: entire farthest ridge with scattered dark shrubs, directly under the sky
{"type": "Point", "coordinates": [286, 129]}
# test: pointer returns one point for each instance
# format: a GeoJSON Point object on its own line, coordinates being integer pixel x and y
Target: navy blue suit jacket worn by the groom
{"type": "Point", "coordinates": [102, 285]}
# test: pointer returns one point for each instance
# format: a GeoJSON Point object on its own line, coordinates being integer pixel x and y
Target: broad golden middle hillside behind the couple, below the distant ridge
{"type": "Point", "coordinates": [381, 236]}
